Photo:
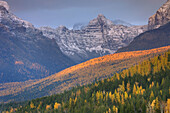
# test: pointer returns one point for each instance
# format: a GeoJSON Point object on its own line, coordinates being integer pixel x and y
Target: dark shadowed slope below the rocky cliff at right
{"type": "Point", "coordinates": [151, 39]}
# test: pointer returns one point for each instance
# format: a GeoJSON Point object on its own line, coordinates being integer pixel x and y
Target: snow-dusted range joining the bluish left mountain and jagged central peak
{"type": "Point", "coordinates": [31, 53]}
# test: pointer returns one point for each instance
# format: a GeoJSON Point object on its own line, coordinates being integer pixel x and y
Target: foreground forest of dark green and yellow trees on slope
{"type": "Point", "coordinates": [143, 88]}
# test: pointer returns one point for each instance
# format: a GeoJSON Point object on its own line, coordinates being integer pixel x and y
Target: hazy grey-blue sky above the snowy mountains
{"type": "Point", "coordinates": [68, 12]}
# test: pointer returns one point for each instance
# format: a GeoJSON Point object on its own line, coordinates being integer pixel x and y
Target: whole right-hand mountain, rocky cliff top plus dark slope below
{"type": "Point", "coordinates": [158, 34]}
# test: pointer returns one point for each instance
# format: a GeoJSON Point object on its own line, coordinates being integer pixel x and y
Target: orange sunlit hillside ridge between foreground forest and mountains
{"type": "Point", "coordinates": [81, 74]}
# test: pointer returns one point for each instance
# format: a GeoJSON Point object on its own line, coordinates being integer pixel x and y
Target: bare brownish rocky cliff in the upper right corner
{"type": "Point", "coordinates": [161, 17]}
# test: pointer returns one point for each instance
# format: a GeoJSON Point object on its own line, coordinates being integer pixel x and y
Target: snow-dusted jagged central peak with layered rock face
{"type": "Point", "coordinates": [98, 38]}
